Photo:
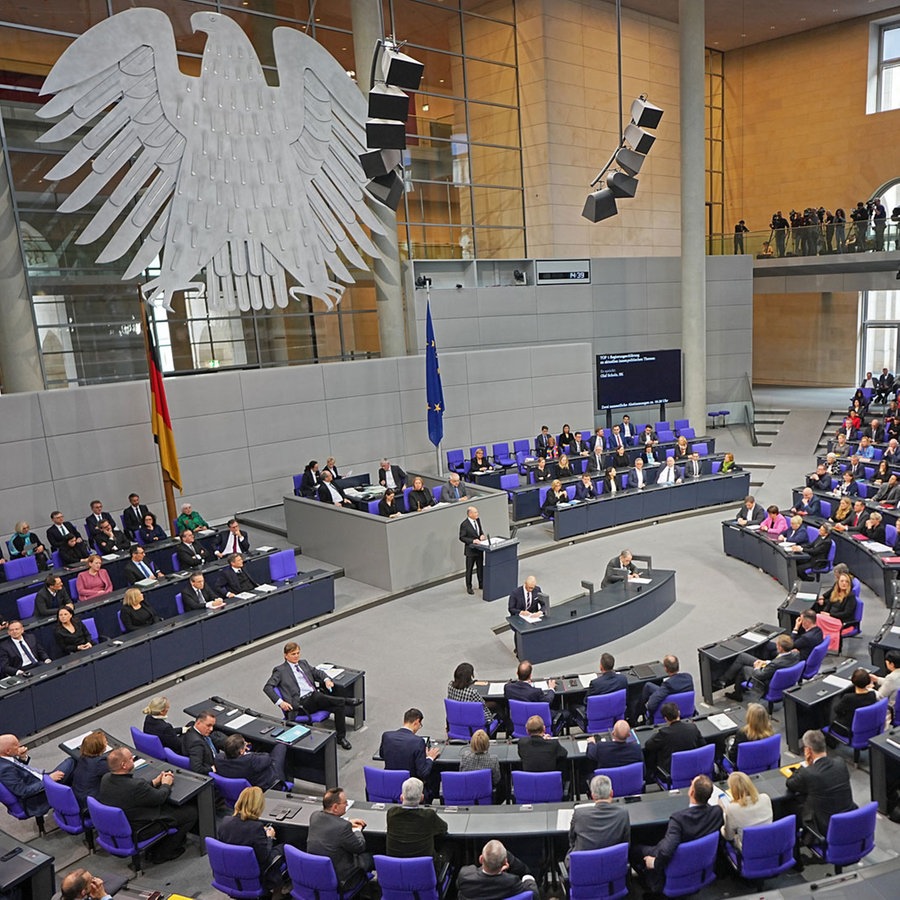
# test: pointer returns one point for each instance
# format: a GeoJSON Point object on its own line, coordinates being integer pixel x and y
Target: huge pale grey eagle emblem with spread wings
{"type": "Point", "coordinates": [219, 171]}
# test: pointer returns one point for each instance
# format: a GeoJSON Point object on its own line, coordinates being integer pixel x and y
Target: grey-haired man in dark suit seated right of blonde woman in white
{"type": "Point", "coordinates": [822, 787]}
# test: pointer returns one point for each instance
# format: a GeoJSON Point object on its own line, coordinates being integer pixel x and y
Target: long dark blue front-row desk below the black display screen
{"type": "Point", "coordinates": [653, 501]}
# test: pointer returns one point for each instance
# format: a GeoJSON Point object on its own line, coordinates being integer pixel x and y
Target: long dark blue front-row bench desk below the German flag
{"type": "Point", "coordinates": [82, 680]}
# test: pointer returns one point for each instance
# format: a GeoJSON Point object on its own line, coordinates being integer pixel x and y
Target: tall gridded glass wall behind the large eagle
{"type": "Point", "coordinates": [463, 173]}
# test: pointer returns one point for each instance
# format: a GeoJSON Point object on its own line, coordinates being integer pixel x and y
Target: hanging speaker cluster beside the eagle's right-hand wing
{"type": "Point", "coordinates": [393, 74]}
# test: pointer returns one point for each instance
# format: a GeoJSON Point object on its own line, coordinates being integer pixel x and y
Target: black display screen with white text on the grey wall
{"type": "Point", "coordinates": [643, 378]}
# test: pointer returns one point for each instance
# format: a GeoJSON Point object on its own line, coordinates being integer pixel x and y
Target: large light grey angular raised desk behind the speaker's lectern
{"type": "Point", "coordinates": [413, 550]}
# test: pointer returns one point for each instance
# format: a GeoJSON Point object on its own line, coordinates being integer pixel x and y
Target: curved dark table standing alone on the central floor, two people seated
{"type": "Point", "coordinates": [583, 623]}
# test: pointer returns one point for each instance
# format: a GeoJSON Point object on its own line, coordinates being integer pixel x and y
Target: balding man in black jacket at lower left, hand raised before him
{"type": "Point", "coordinates": [145, 804]}
